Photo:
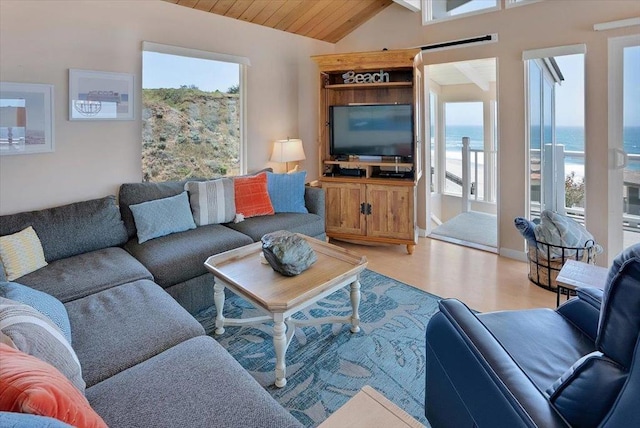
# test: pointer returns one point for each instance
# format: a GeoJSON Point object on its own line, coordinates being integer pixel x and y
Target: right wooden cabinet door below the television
{"type": "Point", "coordinates": [392, 211]}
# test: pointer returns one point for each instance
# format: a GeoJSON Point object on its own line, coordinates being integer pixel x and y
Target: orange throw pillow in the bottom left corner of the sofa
{"type": "Point", "coordinates": [30, 385]}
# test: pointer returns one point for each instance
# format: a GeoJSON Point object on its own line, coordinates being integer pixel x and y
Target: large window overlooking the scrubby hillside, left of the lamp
{"type": "Point", "coordinates": [192, 121]}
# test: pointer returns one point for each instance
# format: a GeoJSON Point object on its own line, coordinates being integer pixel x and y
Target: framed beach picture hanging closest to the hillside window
{"type": "Point", "coordinates": [100, 95]}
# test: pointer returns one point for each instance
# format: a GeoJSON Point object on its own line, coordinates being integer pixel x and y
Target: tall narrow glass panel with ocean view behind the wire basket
{"type": "Point", "coordinates": [556, 130]}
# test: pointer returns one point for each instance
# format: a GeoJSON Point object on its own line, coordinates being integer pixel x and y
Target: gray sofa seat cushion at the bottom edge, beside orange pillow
{"type": "Point", "coordinates": [194, 384]}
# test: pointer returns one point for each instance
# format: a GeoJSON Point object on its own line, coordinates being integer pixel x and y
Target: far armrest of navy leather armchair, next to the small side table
{"type": "Point", "coordinates": [584, 312]}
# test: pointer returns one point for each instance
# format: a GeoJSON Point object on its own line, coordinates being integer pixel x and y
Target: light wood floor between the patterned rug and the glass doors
{"type": "Point", "coordinates": [482, 280]}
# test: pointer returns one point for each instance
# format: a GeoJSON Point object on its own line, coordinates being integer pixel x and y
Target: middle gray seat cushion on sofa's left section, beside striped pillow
{"type": "Point", "coordinates": [123, 326]}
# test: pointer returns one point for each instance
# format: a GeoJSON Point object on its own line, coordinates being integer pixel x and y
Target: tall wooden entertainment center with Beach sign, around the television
{"type": "Point", "coordinates": [368, 198]}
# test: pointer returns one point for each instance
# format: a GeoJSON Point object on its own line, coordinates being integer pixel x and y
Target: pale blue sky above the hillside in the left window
{"type": "Point", "coordinates": [172, 71]}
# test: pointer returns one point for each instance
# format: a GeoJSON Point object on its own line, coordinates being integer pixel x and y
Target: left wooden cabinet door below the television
{"type": "Point", "coordinates": [343, 208]}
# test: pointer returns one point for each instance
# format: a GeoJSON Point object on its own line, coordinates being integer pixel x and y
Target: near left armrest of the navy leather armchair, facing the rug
{"type": "Point", "coordinates": [472, 379]}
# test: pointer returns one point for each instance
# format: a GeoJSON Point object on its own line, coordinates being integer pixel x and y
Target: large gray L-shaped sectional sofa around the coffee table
{"type": "Point", "coordinates": [145, 359]}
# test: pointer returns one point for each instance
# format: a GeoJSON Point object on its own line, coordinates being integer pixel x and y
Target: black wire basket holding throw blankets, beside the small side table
{"type": "Point", "coordinates": [546, 260]}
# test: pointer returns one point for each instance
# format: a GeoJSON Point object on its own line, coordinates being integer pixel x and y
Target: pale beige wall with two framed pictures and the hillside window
{"type": "Point", "coordinates": [41, 40]}
